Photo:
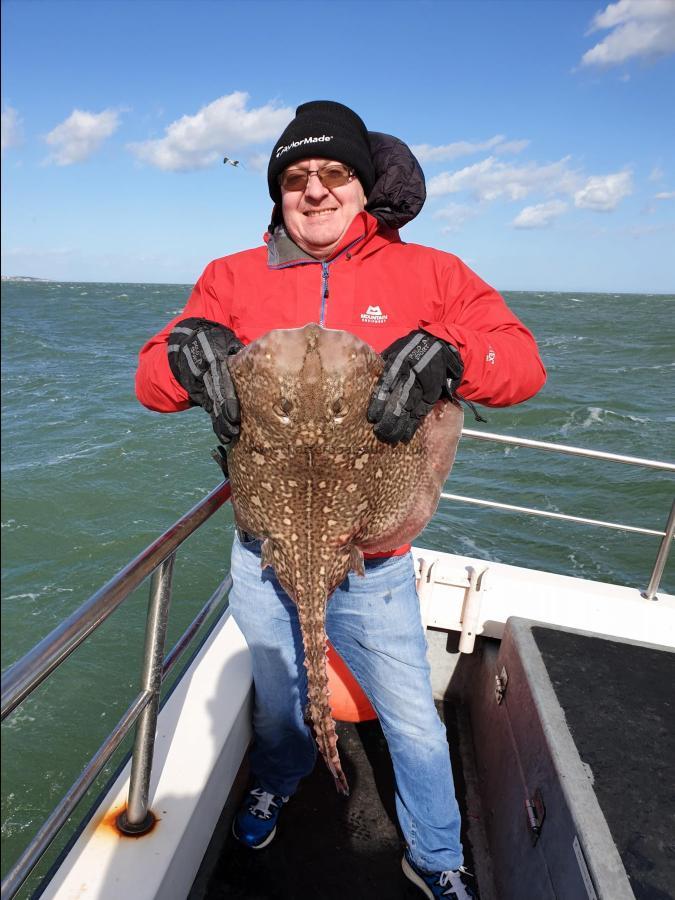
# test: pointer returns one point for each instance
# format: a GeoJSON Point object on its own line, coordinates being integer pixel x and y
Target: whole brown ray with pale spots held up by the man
{"type": "Point", "coordinates": [311, 480]}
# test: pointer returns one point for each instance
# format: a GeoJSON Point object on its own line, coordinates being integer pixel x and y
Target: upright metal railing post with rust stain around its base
{"type": "Point", "coordinates": [136, 818]}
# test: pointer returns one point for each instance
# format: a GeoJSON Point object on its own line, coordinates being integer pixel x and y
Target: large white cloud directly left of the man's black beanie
{"type": "Point", "coordinates": [221, 127]}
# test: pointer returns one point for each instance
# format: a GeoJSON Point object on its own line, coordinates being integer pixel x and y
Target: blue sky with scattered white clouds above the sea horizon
{"type": "Point", "coordinates": [545, 129]}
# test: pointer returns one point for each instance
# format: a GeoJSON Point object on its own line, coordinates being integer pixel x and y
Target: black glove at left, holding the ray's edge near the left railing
{"type": "Point", "coordinates": [198, 351]}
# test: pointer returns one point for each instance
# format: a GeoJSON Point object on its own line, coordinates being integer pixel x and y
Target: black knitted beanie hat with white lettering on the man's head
{"type": "Point", "coordinates": [323, 129]}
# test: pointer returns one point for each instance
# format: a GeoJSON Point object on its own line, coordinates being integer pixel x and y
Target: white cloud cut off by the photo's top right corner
{"type": "Point", "coordinates": [636, 28]}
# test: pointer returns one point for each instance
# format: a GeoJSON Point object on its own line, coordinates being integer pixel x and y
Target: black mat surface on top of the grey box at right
{"type": "Point", "coordinates": [619, 701]}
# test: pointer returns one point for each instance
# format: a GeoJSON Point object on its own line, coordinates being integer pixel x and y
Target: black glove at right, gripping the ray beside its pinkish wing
{"type": "Point", "coordinates": [419, 369]}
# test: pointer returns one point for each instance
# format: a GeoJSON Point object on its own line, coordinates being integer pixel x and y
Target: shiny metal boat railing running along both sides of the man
{"type": "Point", "coordinates": [157, 560]}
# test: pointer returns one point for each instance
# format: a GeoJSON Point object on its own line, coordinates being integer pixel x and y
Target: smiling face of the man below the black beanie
{"type": "Point", "coordinates": [318, 218]}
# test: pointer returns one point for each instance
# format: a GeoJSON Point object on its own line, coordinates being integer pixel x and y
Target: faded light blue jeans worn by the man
{"type": "Point", "coordinates": [374, 623]}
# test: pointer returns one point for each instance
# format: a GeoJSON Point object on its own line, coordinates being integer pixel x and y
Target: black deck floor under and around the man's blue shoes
{"type": "Point", "coordinates": [329, 847]}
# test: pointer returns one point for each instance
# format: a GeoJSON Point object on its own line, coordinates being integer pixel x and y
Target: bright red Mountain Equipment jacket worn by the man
{"type": "Point", "coordinates": [374, 286]}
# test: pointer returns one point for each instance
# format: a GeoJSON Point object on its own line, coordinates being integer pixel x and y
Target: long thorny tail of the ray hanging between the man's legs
{"type": "Point", "coordinates": [312, 616]}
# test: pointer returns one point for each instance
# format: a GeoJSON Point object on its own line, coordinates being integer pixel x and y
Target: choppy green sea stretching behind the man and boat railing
{"type": "Point", "coordinates": [90, 478]}
